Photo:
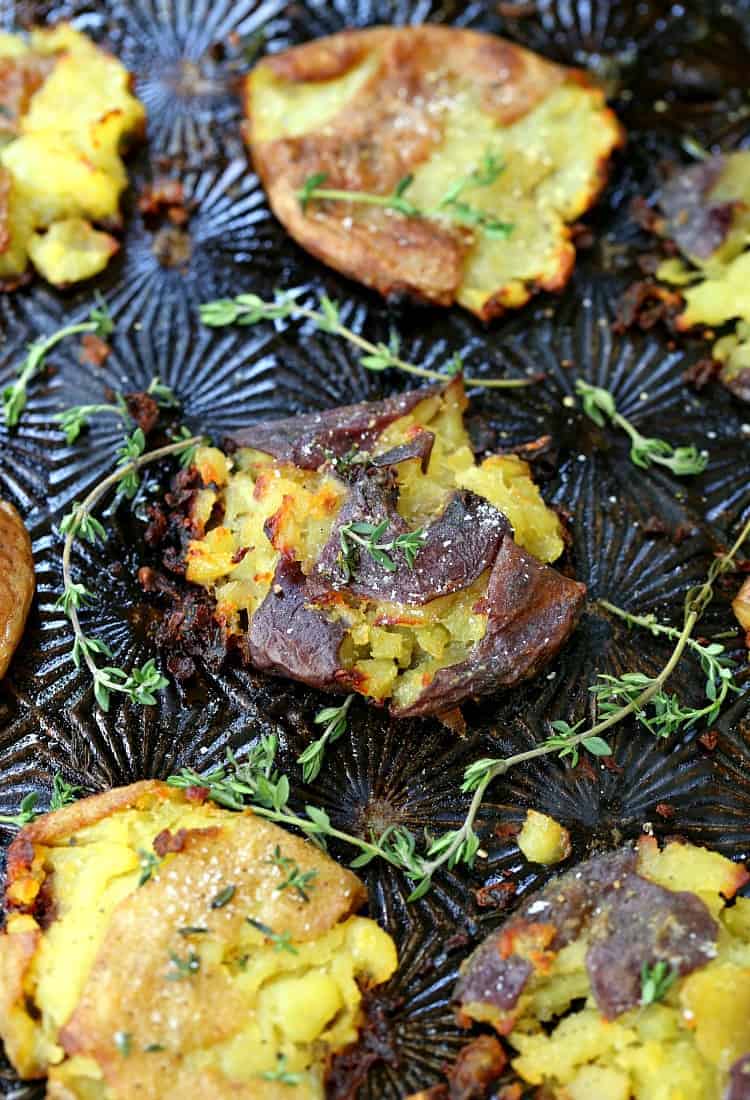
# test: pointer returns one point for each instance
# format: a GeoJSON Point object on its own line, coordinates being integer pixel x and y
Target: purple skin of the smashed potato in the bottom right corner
{"type": "Point", "coordinates": [630, 921]}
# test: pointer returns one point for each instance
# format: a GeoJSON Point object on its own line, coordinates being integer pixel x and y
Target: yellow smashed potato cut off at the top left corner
{"type": "Point", "coordinates": [67, 114]}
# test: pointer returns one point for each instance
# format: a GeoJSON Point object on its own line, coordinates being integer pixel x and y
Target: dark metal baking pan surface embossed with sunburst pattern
{"type": "Point", "coordinates": [187, 59]}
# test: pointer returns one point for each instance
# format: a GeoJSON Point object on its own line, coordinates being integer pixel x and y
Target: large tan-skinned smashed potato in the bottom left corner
{"type": "Point", "coordinates": [155, 948]}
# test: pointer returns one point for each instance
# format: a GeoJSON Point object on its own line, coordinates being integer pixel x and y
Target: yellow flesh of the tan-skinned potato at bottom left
{"type": "Point", "coordinates": [299, 1006]}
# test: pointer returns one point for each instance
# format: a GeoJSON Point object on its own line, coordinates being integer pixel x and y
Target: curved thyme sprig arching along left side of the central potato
{"type": "Point", "coordinates": [140, 685]}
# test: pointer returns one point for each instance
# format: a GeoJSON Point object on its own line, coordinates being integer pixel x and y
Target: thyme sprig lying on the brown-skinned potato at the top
{"type": "Point", "coordinates": [451, 206]}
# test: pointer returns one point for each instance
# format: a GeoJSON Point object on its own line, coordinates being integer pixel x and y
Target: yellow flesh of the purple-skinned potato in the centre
{"type": "Point", "coordinates": [398, 650]}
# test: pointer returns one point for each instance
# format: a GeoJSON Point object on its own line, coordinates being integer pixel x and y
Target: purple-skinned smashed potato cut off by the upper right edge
{"type": "Point", "coordinates": [707, 212]}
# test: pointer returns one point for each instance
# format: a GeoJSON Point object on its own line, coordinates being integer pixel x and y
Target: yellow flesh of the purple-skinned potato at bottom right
{"type": "Point", "coordinates": [680, 1049]}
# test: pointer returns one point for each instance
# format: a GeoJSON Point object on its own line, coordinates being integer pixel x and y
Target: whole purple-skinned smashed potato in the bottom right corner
{"type": "Point", "coordinates": [625, 980]}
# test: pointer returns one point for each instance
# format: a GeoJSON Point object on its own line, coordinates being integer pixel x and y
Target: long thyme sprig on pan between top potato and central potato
{"type": "Point", "coordinates": [251, 310]}
